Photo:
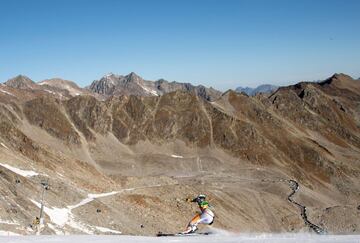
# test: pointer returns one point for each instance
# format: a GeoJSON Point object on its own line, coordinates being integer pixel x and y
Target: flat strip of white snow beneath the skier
{"type": "Point", "coordinates": [244, 238]}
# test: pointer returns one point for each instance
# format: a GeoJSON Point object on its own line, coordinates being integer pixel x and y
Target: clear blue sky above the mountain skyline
{"type": "Point", "coordinates": [223, 44]}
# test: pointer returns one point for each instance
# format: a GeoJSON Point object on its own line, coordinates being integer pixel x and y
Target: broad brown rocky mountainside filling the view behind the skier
{"type": "Point", "coordinates": [151, 152]}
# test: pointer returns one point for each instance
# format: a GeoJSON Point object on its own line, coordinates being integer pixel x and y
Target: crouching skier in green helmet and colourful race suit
{"type": "Point", "coordinates": [206, 216]}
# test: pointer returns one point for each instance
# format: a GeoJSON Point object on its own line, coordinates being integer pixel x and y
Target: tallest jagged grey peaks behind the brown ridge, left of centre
{"type": "Point", "coordinates": [132, 84]}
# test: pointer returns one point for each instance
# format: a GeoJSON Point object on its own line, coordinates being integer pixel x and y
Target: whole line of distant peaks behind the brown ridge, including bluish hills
{"type": "Point", "coordinates": [131, 84]}
